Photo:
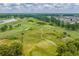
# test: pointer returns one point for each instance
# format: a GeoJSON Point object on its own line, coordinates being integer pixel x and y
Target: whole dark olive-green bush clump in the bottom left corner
{"type": "Point", "coordinates": [15, 49]}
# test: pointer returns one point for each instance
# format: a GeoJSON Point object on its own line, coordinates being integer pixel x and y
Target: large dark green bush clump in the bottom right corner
{"type": "Point", "coordinates": [69, 49]}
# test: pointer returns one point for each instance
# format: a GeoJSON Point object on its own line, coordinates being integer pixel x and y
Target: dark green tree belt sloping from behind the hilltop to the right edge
{"type": "Point", "coordinates": [52, 20]}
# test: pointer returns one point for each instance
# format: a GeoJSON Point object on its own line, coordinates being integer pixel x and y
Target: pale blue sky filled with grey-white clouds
{"type": "Point", "coordinates": [39, 7]}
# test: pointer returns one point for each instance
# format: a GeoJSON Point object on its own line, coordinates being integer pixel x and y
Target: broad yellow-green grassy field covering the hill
{"type": "Point", "coordinates": [39, 38]}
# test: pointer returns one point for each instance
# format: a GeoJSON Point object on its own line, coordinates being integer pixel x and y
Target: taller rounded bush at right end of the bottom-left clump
{"type": "Point", "coordinates": [15, 49]}
